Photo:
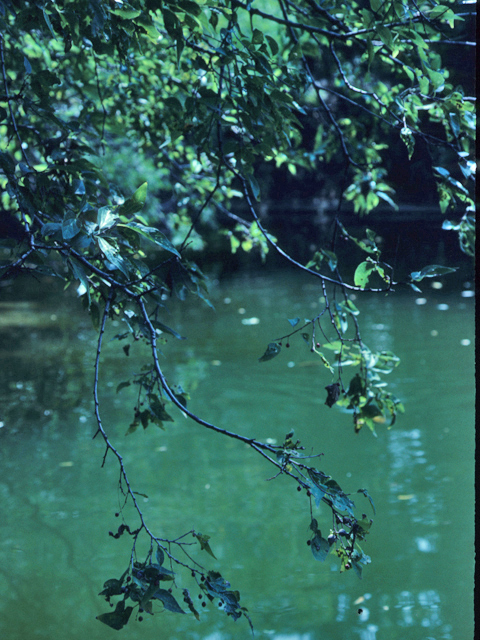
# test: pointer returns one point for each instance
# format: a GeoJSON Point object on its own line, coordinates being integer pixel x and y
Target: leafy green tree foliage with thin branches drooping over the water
{"type": "Point", "coordinates": [193, 97]}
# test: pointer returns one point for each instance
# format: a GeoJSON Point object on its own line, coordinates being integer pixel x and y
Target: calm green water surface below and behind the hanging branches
{"type": "Point", "coordinates": [58, 504]}
